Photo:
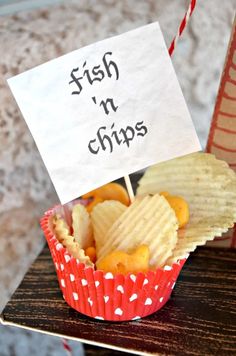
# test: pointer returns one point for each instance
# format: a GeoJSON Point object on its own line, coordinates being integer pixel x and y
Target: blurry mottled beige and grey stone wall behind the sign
{"type": "Point", "coordinates": [29, 38]}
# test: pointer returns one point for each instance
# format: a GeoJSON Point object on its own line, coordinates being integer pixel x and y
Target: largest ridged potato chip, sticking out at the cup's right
{"type": "Point", "coordinates": [209, 187]}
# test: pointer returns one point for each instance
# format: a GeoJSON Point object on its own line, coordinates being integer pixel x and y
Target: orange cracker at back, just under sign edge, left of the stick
{"type": "Point", "coordinates": [110, 191]}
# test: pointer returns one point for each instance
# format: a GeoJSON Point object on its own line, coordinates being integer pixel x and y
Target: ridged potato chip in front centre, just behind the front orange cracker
{"type": "Point", "coordinates": [148, 220]}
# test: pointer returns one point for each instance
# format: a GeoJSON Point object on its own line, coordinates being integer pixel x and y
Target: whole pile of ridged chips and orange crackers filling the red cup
{"type": "Point", "coordinates": [180, 204]}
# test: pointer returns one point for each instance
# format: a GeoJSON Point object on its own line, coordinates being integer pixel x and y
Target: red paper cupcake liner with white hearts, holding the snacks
{"type": "Point", "coordinates": [102, 295]}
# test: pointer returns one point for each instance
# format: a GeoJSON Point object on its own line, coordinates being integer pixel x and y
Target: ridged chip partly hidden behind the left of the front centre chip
{"type": "Point", "coordinates": [103, 216]}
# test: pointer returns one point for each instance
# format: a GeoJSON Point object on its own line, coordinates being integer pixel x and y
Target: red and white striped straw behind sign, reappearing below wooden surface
{"type": "Point", "coordinates": [171, 50]}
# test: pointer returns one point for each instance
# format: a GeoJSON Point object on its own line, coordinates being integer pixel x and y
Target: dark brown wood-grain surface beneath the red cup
{"type": "Point", "coordinates": [199, 319]}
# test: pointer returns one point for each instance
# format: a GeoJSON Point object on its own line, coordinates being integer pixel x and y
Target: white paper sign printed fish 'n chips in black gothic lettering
{"type": "Point", "coordinates": [105, 111]}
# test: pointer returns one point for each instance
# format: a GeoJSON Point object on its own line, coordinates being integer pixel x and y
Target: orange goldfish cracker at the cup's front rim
{"type": "Point", "coordinates": [124, 263]}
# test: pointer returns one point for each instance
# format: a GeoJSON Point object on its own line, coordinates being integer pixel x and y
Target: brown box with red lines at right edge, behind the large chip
{"type": "Point", "coordinates": [222, 135]}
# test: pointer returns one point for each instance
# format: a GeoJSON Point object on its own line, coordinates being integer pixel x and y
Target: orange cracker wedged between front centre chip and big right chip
{"type": "Point", "coordinates": [180, 206]}
